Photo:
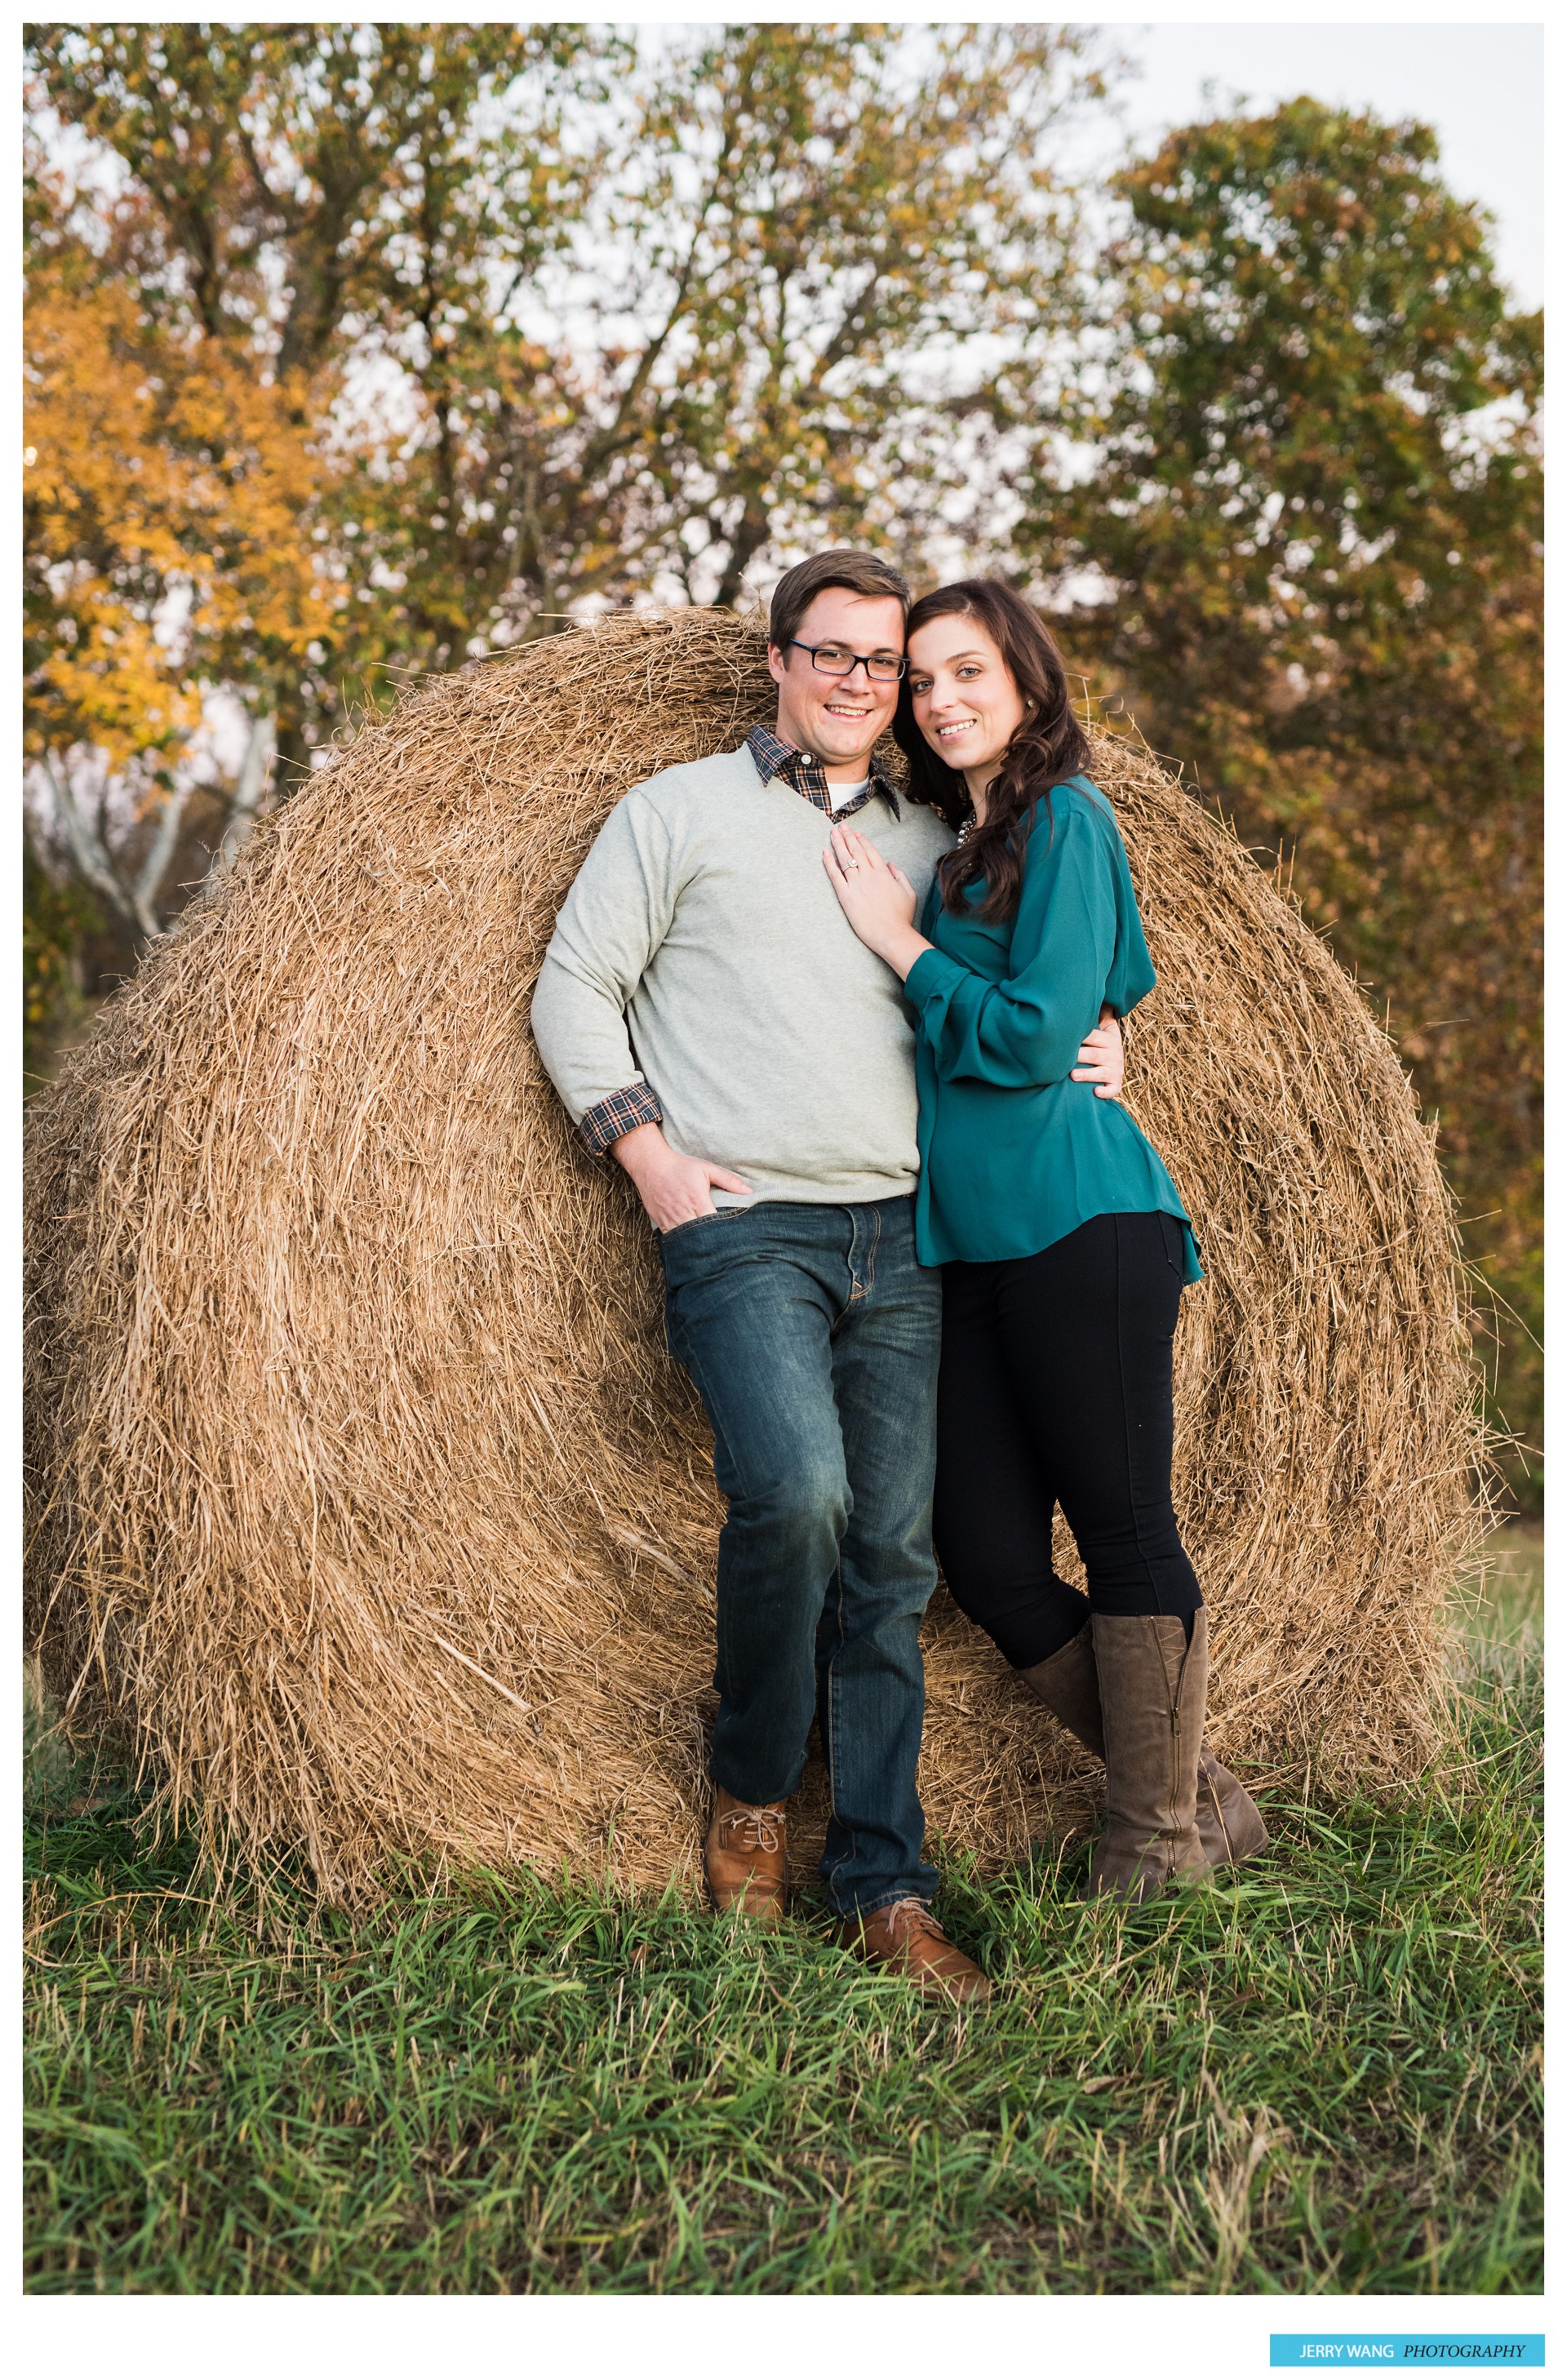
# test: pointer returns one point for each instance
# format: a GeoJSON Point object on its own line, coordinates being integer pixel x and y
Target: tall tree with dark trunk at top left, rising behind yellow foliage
{"type": "Point", "coordinates": [292, 196]}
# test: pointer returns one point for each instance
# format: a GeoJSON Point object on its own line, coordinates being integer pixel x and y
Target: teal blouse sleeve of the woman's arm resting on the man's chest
{"type": "Point", "coordinates": [1028, 1029]}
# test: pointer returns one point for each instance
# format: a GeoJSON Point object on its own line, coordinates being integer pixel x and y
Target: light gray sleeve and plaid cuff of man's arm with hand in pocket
{"type": "Point", "coordinates": [613, 922]}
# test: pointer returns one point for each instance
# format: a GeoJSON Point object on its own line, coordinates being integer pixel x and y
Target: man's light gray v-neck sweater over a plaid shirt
{"type": "Point", "coordinates": [704, 951]}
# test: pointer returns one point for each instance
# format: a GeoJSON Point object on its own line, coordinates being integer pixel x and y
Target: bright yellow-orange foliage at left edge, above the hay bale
{"type": "Point", "coordinates": [170, 503]}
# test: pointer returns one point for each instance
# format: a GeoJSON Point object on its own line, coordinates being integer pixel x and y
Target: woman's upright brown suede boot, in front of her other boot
{"type": "Point", "coordinates": [1154, 1698]}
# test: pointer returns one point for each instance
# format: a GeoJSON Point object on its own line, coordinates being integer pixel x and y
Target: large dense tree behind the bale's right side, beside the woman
{"type": "Point", "coordinates": [1313, 513]}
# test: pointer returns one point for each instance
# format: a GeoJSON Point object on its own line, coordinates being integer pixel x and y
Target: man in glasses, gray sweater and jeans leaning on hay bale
{"type": "Point", "coordinates": [713, 1022]}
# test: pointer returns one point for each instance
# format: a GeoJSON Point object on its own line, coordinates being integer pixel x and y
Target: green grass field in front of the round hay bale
{"type": "Point", "coordinates": [1318, 2077]}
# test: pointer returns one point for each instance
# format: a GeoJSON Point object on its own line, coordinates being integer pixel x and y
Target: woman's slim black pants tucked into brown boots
{"type": "Point", "coordinates": [1056, 1389]}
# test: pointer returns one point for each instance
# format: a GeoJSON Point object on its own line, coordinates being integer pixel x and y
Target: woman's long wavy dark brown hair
{"type": "Point", "coordinates": [1047, 749]}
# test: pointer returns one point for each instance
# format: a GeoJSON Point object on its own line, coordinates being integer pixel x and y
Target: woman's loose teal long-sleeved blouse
{"type": "Point", "coordinates": [1013, 1153]}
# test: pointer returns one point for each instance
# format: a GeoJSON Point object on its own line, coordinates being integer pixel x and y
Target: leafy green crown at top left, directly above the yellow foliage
{"type": "Point", "coordinates": [320, 156]}
